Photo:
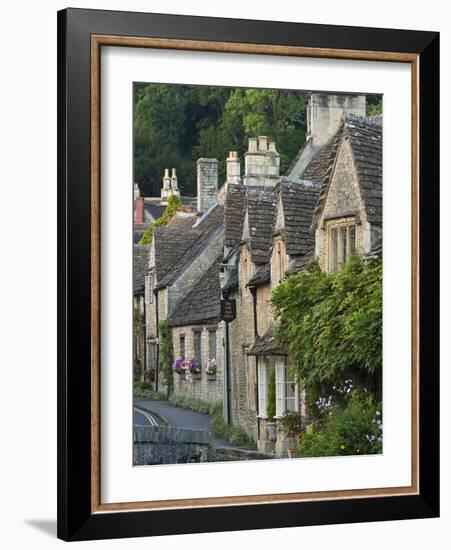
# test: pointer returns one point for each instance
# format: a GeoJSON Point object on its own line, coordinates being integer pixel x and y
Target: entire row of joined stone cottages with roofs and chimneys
{"type": "Point", "coordinates": [243, 240]}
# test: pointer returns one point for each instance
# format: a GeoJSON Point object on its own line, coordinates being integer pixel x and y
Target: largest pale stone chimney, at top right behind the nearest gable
{"type": "Point", "coordinates": [324, 113]}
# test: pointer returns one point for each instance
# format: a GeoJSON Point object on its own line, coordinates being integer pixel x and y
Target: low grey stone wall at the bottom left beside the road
{"type": "Point", "coordinates": [167, 445]}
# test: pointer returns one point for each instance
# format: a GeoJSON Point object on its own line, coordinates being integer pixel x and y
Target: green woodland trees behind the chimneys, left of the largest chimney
{"type": "Point", "coordinates": [176, 124]}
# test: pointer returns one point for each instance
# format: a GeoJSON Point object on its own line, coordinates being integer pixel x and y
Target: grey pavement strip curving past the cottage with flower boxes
{"type": "Point", "coordinates": [180, 418]}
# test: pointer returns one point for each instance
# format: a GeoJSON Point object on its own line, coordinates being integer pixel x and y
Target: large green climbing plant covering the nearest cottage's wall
{"type": "Point", "coordinates": [331, 324]}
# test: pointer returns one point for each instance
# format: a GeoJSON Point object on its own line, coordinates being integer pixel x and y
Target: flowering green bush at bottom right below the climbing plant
{"type": "Point", "coordinates": [351, 428]}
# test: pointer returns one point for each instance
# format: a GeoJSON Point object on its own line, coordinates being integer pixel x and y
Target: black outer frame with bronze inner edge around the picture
{"type": "Point", "coordinates": [75, 521]}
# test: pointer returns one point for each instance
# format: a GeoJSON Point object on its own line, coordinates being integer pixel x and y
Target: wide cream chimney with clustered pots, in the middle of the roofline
{"type": "Point", "coordinates": [262, 162]}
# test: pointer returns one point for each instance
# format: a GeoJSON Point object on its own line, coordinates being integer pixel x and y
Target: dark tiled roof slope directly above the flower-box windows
{"type": "Point", "coordinates": [203, 303]}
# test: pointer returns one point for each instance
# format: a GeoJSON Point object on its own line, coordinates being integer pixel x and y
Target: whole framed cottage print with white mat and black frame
{"type": "Point", "coordinates": [248, 274]}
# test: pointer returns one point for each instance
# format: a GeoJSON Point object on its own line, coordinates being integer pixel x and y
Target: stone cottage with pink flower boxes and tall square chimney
{"type": "Point", "coordinates": [184, 255]}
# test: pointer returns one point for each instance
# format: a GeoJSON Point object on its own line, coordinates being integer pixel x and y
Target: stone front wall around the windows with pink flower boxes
{"type": "Point", "coordinates": [206, 388]}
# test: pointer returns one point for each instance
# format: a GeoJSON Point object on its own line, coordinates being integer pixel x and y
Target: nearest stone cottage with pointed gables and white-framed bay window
{"type": "Point", "coordinates": [327, 207]}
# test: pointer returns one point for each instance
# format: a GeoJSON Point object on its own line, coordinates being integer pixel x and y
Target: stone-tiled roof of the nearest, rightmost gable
{"type": "Point", "coordinates": [365, 139]}
